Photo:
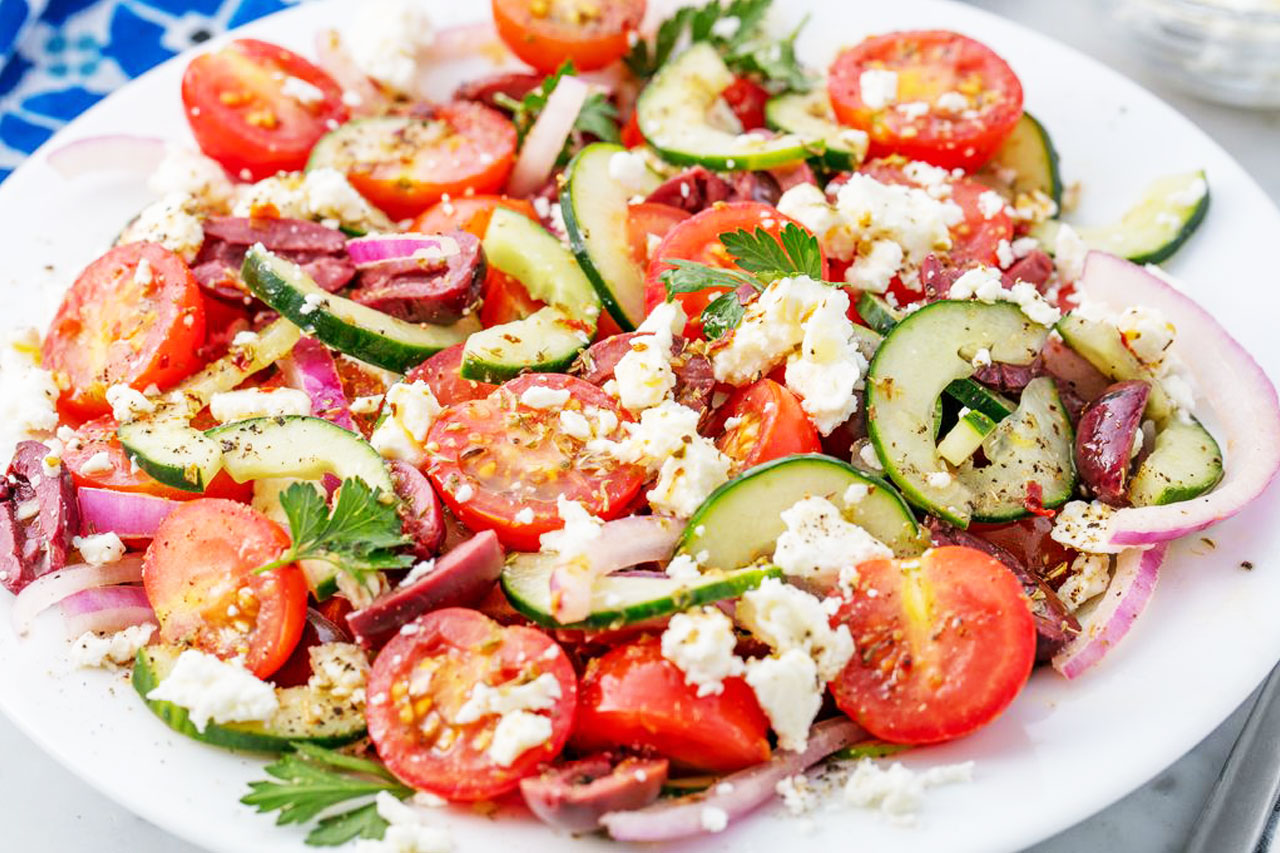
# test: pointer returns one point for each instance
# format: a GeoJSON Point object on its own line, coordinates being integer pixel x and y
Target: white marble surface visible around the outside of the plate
{"type": "Point", "coordinates": [47, 809]}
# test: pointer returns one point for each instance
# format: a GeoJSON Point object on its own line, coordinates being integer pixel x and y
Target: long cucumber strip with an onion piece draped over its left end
{"type": "Point", "coordinates": [618, 601]}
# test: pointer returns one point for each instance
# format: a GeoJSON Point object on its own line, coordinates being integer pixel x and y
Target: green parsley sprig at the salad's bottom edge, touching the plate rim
{"type": "Point", "coordinates": [312, 781]}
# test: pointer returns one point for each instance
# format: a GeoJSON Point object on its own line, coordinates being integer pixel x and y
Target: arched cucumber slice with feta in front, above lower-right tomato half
{"type": "Point", "coordinates": [740, 522]}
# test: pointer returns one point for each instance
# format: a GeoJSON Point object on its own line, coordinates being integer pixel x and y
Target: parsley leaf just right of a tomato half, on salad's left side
{"type": "Point", "coordinates": [359, 536]}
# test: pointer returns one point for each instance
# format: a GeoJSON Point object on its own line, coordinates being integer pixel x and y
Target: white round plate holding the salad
{"type": "Point", "coordinates": [1062, 752]}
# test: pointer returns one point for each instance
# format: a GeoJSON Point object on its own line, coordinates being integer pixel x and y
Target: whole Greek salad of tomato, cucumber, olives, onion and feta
{"type": "Point", "coordinates": [625, 436]}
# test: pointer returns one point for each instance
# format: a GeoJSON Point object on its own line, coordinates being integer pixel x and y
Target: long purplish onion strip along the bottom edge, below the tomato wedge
{"type": "Point", "coordinates": [737, 795]}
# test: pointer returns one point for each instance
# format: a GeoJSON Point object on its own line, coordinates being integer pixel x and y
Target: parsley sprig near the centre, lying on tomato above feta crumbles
{"type": "Point", "coordinates": [762, 259]}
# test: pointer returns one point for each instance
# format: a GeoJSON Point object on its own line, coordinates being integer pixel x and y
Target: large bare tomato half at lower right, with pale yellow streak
{"type": "Point", "coordinates": [944, 646]}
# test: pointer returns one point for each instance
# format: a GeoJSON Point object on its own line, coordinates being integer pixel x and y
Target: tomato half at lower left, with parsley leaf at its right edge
{"type": "Point", "coordinates": [200, 578]}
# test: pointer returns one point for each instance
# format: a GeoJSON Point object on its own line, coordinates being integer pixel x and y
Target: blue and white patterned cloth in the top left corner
{"type": "Point", "coordinates": [60, 57]}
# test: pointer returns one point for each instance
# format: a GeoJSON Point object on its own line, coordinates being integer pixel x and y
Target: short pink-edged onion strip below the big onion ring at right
{"type": "Point", "coordinates": [1128, 594]}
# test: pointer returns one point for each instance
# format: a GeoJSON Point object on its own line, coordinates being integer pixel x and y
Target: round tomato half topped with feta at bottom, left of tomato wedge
{"type": "Point", "coordinates": [422, 681]}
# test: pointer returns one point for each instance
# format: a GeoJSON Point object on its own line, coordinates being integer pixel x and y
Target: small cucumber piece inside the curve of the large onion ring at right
{"type": "Point", "coordinates": [1185, 464]}
